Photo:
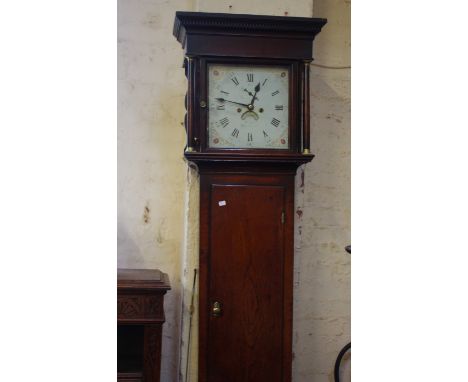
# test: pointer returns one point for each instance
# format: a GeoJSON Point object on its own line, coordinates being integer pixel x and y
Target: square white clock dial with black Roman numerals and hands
{"type": "Point", "coordinates": [248, 107]}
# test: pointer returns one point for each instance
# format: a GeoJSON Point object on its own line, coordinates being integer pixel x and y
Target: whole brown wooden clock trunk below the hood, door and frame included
{"type": "Point", "coordinates": [246, 263]}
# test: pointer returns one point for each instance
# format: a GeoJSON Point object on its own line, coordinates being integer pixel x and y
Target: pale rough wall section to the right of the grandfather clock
{"type": "Point", "coordinates": [322, 292]}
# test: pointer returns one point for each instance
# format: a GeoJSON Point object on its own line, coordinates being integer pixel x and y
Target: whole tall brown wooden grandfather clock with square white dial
{"type": "Point", "coordinates": [247, 126]}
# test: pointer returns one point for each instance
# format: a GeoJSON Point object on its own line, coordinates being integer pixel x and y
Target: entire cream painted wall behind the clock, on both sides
{"type": "Point", "coordinates": [158, 193]}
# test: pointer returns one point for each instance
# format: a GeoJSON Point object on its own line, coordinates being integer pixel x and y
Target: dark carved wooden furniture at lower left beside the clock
{"type": "Point", "coordinates": [140, 316]}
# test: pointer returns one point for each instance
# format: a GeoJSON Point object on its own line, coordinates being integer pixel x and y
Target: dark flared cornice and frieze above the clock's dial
{"type": "Point", "coordinates": [199, 33]}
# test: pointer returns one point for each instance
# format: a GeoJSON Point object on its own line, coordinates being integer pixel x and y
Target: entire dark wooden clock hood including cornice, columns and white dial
{"type": "Point", "coordinates": [222, 125]}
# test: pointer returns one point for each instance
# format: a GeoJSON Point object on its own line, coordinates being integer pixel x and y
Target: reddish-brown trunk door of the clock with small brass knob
{"type": "Point", "coordinates": [245, 339]}
